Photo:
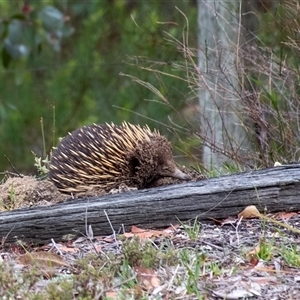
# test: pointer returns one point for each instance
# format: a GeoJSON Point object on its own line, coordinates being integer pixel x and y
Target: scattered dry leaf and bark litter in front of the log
{"type": "Point", "coordinates": [227, 261]}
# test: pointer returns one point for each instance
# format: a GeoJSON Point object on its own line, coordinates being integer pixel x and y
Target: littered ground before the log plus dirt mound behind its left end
{"type": "Point", "coordinates": [228, 259]}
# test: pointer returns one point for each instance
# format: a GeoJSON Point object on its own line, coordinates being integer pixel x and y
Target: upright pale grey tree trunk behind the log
{"type": "Point", "coordinates": [221, 111]}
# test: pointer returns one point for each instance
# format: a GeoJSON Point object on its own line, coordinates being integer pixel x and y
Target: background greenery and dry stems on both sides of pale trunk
{"type": "Point", "coordinates": [62, 63]}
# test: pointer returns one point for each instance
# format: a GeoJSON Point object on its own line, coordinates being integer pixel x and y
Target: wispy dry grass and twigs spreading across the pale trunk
{"type": "Point", "coordinates": [258, 89]}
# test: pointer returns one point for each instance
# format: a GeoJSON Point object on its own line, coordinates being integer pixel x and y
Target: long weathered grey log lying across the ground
{"type": "Point", "coordinates": [274, 189]}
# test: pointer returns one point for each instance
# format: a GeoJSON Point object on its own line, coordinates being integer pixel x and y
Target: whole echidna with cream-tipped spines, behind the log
{"type": "Point", "coordinates": [104, 156]}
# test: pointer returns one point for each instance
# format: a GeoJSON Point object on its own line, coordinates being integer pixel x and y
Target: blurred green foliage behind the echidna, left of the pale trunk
{"type": "Point", "coordinates": [61, 62]}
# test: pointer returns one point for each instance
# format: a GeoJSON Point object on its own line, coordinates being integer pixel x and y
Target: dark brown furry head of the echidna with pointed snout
{"type": "Point", "coordinates": [151, 160]}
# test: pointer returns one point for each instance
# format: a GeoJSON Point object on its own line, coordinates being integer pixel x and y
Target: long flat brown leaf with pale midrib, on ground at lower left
{"type": "Point", "coordinates": [42, 259]}
